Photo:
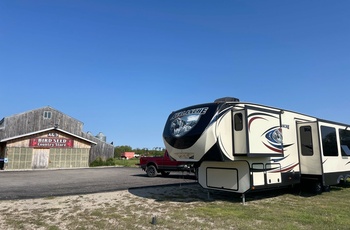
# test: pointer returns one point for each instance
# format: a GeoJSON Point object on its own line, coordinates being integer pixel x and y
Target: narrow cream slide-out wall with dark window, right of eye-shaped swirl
{"type": "Point", "coordinates": [309, 148]}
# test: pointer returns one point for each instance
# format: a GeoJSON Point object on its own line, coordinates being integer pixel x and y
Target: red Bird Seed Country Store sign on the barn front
{"type": "Point", "coordinates": [51, 142]}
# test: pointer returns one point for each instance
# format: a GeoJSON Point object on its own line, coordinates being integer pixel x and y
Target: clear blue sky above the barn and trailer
{"type": "Point", "coordinates": [121, 67]}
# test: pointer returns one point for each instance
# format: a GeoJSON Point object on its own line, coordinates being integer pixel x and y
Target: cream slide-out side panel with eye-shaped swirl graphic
{"type": "Point", "coordinates": [264, 132]}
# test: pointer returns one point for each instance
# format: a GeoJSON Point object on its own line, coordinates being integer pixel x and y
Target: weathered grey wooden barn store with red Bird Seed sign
{"type": "Point", "coordinates": [47, 138]}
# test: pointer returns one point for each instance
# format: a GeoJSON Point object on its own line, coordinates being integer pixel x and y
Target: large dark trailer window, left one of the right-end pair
{"type": "Point", "coordinates": [329, 141]}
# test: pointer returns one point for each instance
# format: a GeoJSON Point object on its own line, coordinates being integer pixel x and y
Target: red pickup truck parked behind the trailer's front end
{"type": "Point", "coordinates": [163, 164]}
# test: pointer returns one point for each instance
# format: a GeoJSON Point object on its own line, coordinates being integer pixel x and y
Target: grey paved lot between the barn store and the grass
{"type": "Point", "coordinates": [63, 182]}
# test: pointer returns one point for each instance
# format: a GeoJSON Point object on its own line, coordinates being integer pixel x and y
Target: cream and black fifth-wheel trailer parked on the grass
{"type": "Point", "coordinates": [241, 147]}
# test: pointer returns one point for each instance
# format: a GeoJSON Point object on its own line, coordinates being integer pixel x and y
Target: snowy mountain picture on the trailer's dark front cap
{"type": "Point", "coordinates": [182, 122]}
